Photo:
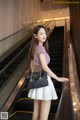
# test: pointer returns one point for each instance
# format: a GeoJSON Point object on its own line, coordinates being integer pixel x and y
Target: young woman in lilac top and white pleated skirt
{"type": "Point", "coordinates": [39, 54]}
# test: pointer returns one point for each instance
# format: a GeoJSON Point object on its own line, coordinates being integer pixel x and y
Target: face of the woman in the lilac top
{"type": "Point", "coordinates": [41, 36]}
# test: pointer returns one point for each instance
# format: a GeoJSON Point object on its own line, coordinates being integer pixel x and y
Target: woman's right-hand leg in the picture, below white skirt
{"type": "Point", "coordinates": [44, 109]}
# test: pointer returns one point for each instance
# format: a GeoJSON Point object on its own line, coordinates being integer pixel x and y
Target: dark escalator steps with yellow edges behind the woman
{"type": "Point", "coordinates": [23, 107]}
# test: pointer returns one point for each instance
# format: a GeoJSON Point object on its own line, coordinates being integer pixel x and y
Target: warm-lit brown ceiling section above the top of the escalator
{"type": "Point", "coordinates": [52, 9]}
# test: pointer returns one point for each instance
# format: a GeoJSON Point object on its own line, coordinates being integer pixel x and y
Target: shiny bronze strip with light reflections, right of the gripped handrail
{"type": "Point", "coordinates": [74, 79]}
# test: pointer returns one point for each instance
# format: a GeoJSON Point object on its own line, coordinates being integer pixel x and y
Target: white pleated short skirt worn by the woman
{"type": "Point", "coordinates": [44, 93]}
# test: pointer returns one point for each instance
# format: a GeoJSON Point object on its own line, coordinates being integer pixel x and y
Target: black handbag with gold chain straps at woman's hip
{"type": "Point", "coordinates": [37, 80]}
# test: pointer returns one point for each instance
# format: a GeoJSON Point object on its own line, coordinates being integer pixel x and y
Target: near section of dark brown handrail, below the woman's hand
{"type": "Point", "coordinates": [65, 107]}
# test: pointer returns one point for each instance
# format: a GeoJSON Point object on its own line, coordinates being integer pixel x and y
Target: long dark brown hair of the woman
{"type": "Point", "coordinates": [34, 41]}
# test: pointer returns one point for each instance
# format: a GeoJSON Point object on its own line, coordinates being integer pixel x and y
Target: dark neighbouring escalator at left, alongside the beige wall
{"type": "Point", "coordinates": [12, 62]}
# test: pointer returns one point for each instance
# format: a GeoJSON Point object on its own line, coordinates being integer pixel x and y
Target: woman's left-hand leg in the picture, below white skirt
{"type": "Point", "coordinates": [36, 110]}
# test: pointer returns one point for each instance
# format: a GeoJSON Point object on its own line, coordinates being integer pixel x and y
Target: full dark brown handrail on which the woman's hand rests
{"type": "Point", "coordinates": [65, 109]}
